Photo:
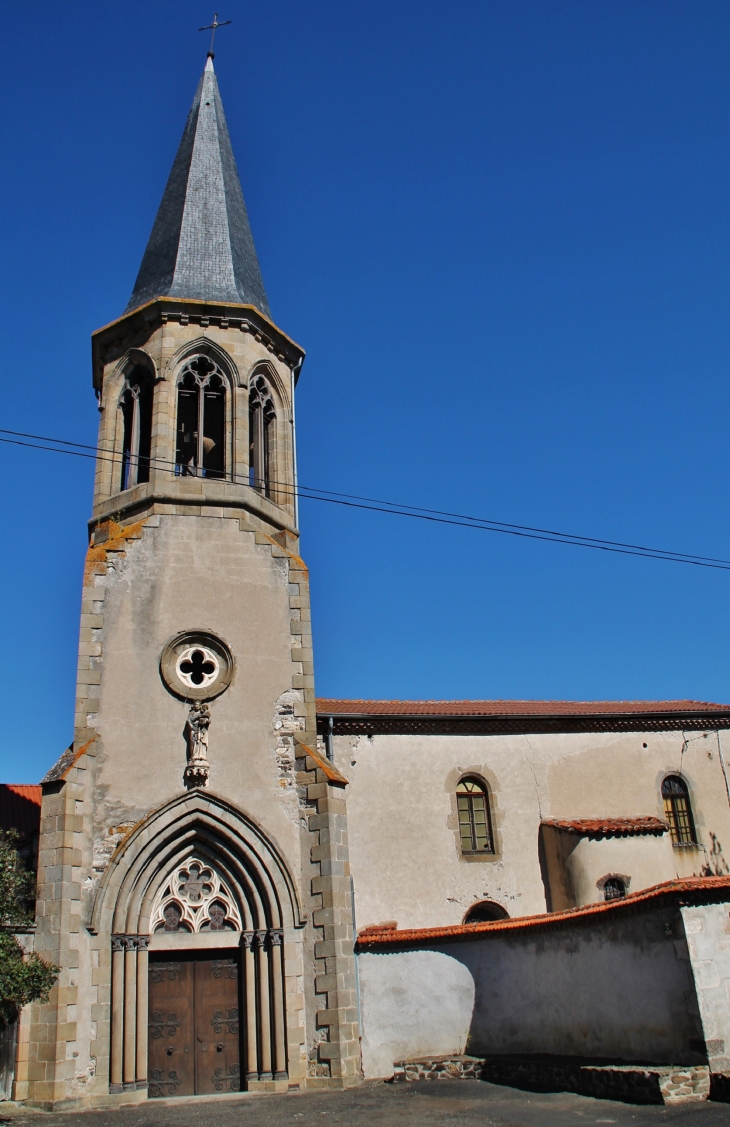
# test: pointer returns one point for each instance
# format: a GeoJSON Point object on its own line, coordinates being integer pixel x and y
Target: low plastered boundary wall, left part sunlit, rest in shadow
{"type": "Point", "coordinates": [606, 990]}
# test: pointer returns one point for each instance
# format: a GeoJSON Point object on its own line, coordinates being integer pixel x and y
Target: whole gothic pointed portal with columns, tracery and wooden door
{"type": "Point", "coordinates": [198, 903]}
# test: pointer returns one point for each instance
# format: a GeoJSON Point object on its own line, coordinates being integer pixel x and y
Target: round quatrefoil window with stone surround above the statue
{"type": "Point", "coordinates": [197, 667]}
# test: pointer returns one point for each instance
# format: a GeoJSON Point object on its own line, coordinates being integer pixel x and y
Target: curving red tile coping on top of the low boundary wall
{"type": "Point", "coordinates": [713, 888]}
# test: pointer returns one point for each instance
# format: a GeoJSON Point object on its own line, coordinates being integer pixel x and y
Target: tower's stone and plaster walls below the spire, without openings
{"type": "Point", "coordinates": [218, 558]}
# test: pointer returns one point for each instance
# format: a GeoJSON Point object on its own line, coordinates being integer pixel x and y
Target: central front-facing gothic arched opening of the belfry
{"type": "Point", "coordinates": [201, 421]}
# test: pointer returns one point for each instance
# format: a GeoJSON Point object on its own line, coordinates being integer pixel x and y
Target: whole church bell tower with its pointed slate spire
{"type": "Point", "coordinates": [194, 885]}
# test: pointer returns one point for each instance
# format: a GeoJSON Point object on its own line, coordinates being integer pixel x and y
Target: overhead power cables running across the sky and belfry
{"type": "Point", "coordinates": [396, 509]}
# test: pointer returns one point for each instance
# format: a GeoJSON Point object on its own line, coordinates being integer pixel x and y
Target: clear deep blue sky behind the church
{"type": "Point", "coordinates": [502, 232]}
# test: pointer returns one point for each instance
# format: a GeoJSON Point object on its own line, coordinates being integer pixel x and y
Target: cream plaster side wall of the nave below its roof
{"type": "Point", "coordinates": [405, 851]}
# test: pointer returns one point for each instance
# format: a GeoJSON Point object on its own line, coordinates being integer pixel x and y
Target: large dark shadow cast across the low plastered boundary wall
{"type": "Point", "coordinates": [611, 990]}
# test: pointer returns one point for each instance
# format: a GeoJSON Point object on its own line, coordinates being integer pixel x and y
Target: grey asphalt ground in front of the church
{"type": "Point", "coordinates": [405, 1105]}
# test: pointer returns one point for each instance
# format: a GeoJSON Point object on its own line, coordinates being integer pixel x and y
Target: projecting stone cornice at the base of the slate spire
{"type": "Point", "coordinates": [115, 338]}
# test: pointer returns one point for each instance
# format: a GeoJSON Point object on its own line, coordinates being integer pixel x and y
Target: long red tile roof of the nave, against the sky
{"type": "Point", "coordinates": [327, 706]}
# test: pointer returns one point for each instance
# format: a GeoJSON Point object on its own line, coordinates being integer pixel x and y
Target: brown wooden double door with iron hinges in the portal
{"type": "Point", "coordinates": [194, 1032]}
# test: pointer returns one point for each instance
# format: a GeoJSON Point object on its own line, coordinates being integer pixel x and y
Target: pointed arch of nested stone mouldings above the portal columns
{"type": "Point", "coordinates": [208, 827]}
